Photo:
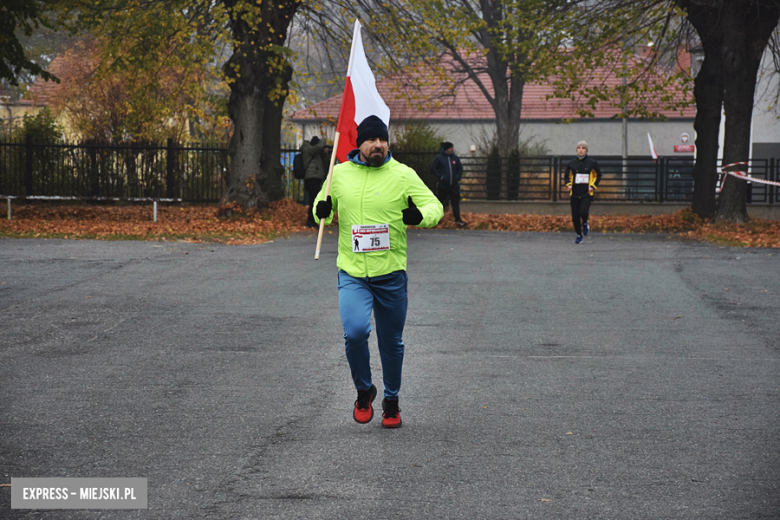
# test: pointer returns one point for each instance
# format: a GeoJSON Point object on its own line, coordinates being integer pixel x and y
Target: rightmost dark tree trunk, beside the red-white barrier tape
{"type": "Point", "coordinates": [745, 37]}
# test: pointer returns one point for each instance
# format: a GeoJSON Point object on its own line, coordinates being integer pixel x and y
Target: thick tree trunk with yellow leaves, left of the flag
{"type": "Point", "coordinates": [259, 74]}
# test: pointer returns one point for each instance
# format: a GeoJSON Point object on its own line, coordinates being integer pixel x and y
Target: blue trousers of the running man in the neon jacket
{"type": "Point", "coordinates": [387, 296]}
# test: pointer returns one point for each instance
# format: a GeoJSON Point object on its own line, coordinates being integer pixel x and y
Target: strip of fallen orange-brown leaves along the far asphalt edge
{"type": "Point", "coordinates": [201, 223]}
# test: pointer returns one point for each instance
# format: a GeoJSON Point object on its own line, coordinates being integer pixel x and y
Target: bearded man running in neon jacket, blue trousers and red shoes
{"type": "Point", "coordinates": [376, 198]}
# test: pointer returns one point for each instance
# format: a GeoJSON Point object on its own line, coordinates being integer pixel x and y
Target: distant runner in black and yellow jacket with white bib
{"type": "Point", "coordinates": [584, 176]}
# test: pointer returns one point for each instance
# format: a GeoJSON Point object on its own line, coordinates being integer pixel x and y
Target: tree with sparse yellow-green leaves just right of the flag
{"type": "Point", "coordinates": [497, 44]}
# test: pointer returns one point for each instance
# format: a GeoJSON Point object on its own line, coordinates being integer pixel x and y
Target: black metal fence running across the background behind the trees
{"type": "Point", "coordinates": [197, 174]}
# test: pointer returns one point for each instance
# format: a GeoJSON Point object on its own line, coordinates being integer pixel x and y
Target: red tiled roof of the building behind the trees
{"type": "Point", "coordinates": [470, 104]}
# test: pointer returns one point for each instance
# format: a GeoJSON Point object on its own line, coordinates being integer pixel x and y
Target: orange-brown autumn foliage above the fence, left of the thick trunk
{"type": "Point", "coordinates": [109, 102]}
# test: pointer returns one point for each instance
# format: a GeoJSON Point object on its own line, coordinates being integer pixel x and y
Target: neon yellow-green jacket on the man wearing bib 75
{"type": "Point", "coordinates": [366, 195]}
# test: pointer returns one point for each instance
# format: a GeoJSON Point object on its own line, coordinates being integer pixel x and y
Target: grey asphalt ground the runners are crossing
{"type": "Point", "coordinates": [632, 377]}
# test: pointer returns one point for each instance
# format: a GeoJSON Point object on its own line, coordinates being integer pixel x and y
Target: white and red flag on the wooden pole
{"type": "Point", "coordinates": [361, 98]}
